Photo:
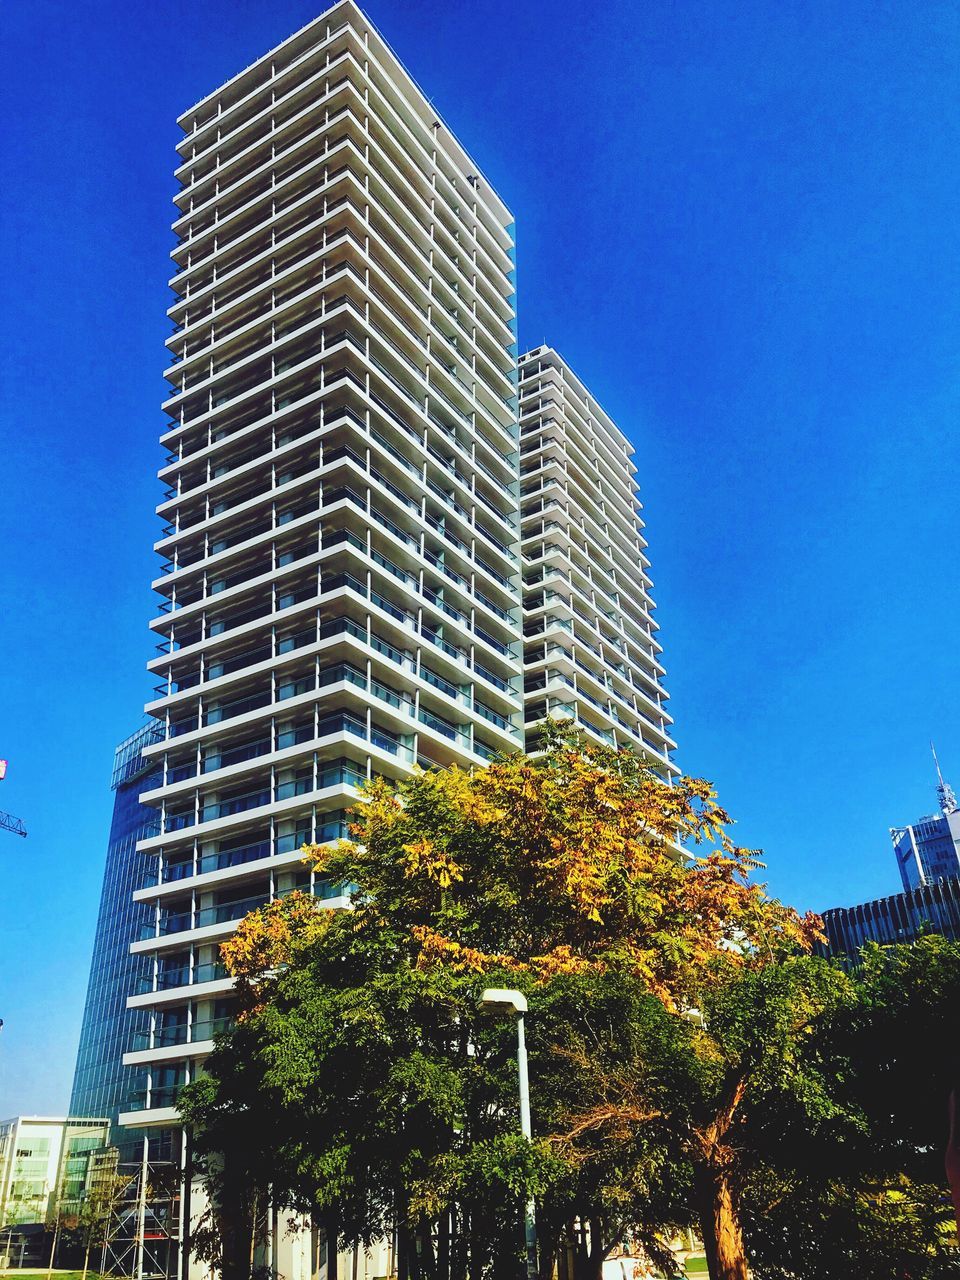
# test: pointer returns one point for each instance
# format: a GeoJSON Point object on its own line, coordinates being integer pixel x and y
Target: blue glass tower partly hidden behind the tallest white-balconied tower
{"type": "Point", "coordinates": [100, 1082]}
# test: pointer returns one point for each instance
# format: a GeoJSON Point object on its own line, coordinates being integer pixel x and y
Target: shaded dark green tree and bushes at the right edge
{"type": "Point", "coordinates": [862, 1187]}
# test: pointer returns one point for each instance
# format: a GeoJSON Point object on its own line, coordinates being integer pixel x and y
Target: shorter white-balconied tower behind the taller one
{"type": "Point", "coordinates": [589, 636]}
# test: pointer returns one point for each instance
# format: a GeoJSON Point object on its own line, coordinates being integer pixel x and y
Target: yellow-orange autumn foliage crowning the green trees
{"type": "Point", "coordinates": [542, 866]}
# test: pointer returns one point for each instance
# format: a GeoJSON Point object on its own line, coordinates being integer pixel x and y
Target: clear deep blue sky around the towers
{"type": "Point", "coordinates": [742, 226]}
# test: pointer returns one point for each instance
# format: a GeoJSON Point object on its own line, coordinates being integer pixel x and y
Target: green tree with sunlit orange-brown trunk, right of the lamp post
{"type": "Point", "coordinates": [728, 1091]}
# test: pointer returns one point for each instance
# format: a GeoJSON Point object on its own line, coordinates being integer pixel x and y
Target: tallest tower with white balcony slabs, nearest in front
{"type": "Point", "coordinates": [341, 578]}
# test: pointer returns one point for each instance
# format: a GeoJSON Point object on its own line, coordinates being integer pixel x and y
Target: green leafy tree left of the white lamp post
{"type": "Point", "coordinates": [354, 1085]}
